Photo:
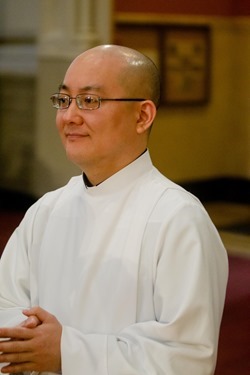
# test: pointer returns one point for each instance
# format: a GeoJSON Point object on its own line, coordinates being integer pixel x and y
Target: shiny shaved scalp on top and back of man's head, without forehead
{"type": "Point", "coordinates": [137, 73]}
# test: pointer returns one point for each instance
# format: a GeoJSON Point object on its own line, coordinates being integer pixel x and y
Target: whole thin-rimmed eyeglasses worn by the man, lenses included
{"type": "Point", "coordinates": [85, 101]}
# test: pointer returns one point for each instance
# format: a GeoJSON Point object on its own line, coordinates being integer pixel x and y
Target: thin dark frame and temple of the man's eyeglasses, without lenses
{"type": "Point", "coordinates": [99, 100]}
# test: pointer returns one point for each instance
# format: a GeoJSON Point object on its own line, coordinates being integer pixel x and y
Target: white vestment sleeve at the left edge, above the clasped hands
{"type": "Point", "coordinates": [17, 279]}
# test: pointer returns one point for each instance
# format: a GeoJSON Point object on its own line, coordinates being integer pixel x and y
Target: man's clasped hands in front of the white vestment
{"type": "Point", "coordinates": [34, 345]}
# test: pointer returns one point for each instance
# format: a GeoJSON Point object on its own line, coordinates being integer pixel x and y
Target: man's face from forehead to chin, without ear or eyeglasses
{"type": "Point", "coordinates": [100, 138]}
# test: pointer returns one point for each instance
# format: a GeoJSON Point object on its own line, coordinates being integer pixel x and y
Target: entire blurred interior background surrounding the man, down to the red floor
{"type": "Point", "coordinates": [200, 139]}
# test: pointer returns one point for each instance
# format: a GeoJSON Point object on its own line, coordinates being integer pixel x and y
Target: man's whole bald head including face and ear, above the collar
{"type": "Point", "coordinates": [124, 84]}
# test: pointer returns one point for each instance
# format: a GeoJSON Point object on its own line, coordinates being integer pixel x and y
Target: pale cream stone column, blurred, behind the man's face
{"type": "Point", "coordinates": [67, 28]}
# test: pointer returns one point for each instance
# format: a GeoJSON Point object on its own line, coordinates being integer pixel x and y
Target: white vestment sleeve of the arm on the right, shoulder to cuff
{"type": "Point", "coordinates": [190, 270]}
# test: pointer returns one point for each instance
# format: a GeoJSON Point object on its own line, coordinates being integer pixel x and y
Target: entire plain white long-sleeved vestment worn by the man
{"type": "Point", "coordinates": [133, 269]}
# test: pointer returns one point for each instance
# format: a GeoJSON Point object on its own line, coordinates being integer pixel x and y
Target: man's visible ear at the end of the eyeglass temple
{"type": "Point", "coordinates": [146, 116]}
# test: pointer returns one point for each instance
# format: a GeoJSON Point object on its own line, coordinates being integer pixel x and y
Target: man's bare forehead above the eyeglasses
{"type": "Point", "coordinates": [93, 72]}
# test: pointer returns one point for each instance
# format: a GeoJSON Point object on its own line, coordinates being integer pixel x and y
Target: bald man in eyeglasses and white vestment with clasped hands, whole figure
{"type": "Point", "coordinates": [121, 271]}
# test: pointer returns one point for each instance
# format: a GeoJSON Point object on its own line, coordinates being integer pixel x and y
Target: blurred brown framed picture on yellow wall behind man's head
{"type": "Point", "coordinates": [185, 64]}
